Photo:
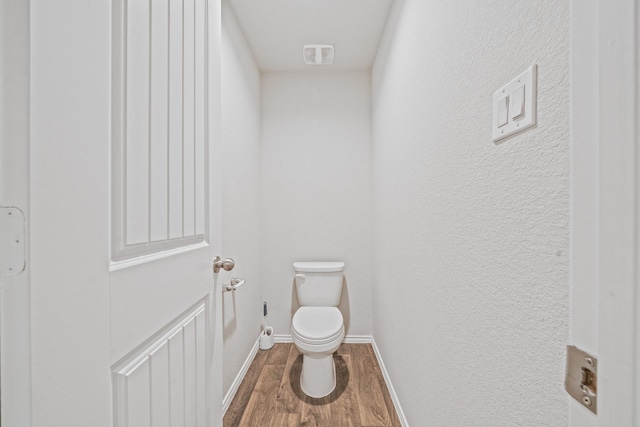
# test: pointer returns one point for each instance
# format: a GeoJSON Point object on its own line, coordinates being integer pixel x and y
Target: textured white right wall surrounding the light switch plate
{"type": "Point", "coordinates": [471, 238]}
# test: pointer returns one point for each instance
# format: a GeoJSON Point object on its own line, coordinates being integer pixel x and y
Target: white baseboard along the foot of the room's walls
{"type": "Point", "coordinates": [349, 339]}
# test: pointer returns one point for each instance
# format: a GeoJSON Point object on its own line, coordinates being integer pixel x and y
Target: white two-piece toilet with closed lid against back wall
{"type": "Point", "coordinates": [317, 326]}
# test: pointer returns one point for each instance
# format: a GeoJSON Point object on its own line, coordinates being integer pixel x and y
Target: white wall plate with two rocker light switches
{"type": "Point", "coordinates": [522, 91]}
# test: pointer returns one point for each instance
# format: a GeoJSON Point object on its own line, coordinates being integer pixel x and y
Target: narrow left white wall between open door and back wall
{"type": "Point", "coordinates": [240, 163]}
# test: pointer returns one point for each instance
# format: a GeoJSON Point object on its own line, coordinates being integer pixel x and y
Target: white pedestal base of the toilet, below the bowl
{"type": "Point", "coordinates": [318, 378]}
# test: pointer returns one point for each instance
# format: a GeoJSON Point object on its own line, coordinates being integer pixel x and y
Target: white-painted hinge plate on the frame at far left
{"type": "Point", "coordinates": [12, 236]}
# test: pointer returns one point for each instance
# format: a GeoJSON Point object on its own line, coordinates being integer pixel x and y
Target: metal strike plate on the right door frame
{"type": "Point", "coordinates": [581, 380]}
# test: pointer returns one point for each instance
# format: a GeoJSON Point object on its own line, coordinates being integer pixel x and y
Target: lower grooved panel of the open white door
{"type": "Point", "coordinates": [165, 376]}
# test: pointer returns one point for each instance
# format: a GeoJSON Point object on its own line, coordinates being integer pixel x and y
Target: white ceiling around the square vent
{"type": "Point", "coordinates": [276, 30]}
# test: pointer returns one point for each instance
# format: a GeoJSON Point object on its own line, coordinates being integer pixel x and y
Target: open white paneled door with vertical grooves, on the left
{"type": "Point", "coordinates": [121, 193]}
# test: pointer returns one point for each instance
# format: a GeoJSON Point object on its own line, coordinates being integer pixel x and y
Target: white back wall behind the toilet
{"type": "Point", "coordinates": [316, 188]}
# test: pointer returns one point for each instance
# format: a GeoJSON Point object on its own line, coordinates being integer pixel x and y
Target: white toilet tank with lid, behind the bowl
{"type": "Point", "coordinates": [319, 283]}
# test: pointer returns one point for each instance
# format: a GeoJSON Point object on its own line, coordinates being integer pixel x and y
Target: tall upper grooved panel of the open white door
{"type": "Point", "coordinates": [159, 132]}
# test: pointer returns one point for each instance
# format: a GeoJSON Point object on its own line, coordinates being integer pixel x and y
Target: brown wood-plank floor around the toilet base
{"type": "Point", "coordinates": [270, 393]}
